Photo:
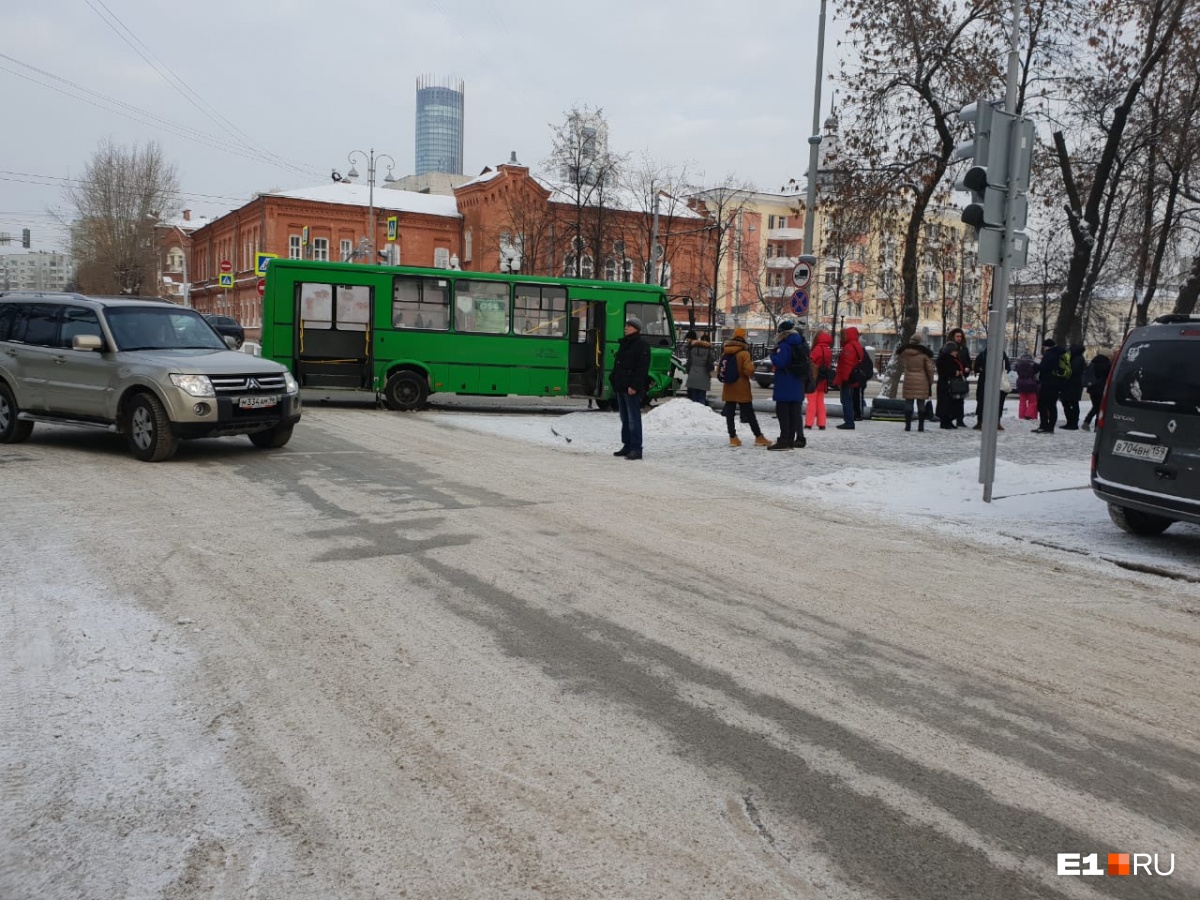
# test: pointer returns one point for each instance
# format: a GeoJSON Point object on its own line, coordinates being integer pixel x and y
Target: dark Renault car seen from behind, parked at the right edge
{"type": "Point", "coordinates": [1147, 459]}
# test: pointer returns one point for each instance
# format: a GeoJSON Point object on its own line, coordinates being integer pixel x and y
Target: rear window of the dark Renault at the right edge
{"type": "Point", "coordinates": [1160, 376]}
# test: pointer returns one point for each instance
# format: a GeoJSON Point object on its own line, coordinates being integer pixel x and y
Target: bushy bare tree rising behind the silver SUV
{"type": "Point", "coordinates": [123, 194]}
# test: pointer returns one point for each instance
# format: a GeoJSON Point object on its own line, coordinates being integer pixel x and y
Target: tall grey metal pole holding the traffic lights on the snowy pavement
{"type": "Point", "coordinates": [998, 316]}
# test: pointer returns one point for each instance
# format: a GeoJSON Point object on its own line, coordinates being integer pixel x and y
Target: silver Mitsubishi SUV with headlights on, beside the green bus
{"type": "Point", "coordinates": [152, 371]}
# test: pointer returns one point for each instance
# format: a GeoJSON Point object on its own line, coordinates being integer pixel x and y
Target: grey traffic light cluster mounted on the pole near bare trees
{"type": "Point", "coordinates": [998, 181]}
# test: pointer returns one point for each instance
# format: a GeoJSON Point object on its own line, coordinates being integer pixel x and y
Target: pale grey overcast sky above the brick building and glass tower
{"type": "Point", "coordinates": [724, 88]}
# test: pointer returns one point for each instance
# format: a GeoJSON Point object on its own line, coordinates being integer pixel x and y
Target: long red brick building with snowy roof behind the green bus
{"type": "Point", "coordinates": [506, 220]}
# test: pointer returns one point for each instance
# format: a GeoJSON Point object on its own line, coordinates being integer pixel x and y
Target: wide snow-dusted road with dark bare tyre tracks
{"type": "Point", "coordinates": [403, 658]}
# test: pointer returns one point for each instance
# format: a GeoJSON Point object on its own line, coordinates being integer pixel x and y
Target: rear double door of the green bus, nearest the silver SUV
{"type": "Point", "coordinates": [334, 335]}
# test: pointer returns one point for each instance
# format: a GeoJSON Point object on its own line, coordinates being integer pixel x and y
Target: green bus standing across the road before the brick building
{"type": "Point", "coordinates": [406, 333]}
